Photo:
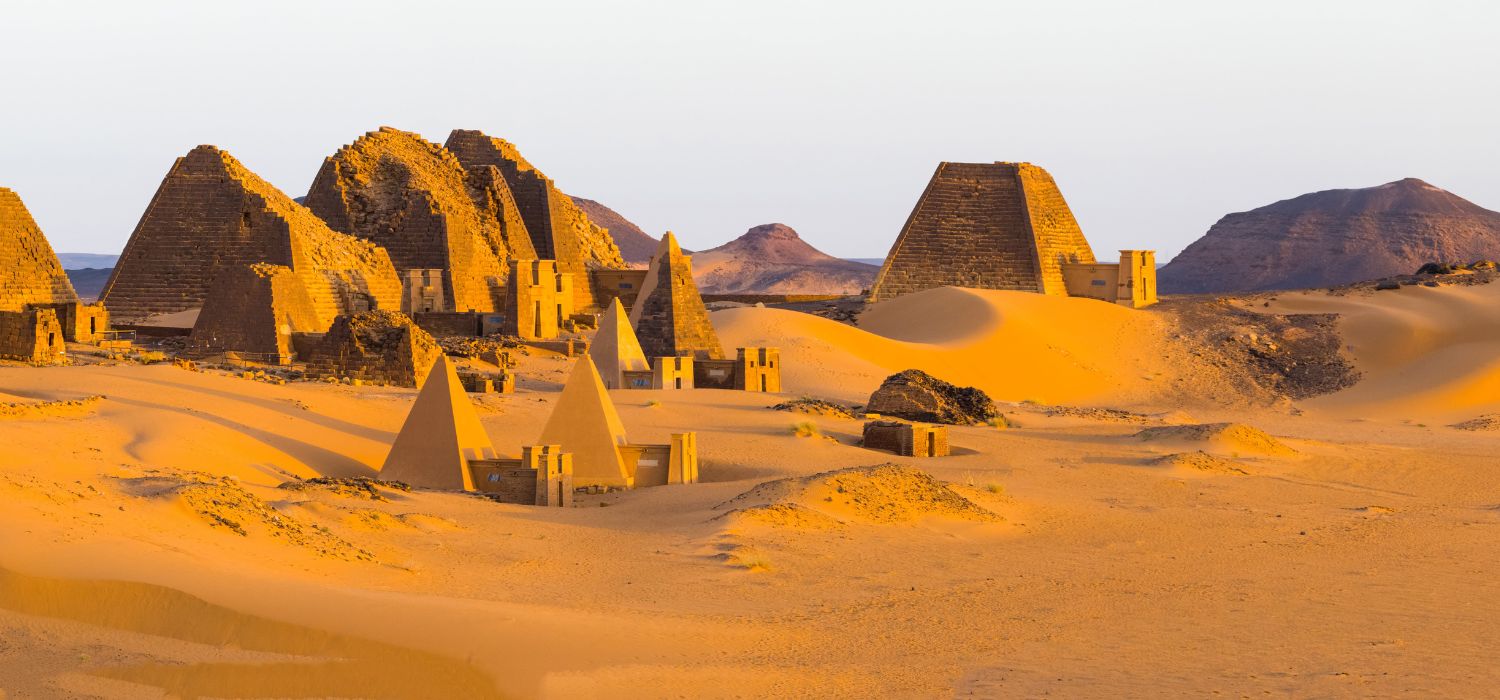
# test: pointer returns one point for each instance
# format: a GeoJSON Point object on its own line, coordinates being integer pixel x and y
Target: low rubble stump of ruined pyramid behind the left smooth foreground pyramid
{"type": "Point", "coordinates": [373, 347]}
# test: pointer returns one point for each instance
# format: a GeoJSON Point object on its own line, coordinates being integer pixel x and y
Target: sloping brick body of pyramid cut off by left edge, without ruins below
{"type": "Point", "coordinates": [29, 269]}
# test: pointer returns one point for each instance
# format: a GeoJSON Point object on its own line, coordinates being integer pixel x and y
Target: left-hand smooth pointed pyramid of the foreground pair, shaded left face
{"type": "Point", "coordinates": [440, 437]}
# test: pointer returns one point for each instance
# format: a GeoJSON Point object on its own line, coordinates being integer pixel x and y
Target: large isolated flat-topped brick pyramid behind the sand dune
{"type": "Point", "coordinates": [989, 227]}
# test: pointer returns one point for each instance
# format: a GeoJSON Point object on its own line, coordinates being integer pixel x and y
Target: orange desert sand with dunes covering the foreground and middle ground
{"type": "Point", "coordinates": [1337, 546]}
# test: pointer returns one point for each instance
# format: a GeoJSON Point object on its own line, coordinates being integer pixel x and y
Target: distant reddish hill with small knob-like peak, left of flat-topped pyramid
{"type": "Point", "coordinates": [773, 260]}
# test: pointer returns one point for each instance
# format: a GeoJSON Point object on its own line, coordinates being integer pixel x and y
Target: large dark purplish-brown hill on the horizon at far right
{"type": "Point", "coordinates": [1336, 238]}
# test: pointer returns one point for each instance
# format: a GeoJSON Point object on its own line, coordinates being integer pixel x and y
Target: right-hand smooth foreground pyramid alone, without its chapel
{"type": "Point", "coordinates": [586, 423]}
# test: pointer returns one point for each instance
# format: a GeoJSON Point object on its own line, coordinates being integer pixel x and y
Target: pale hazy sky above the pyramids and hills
{"type": "Point", "coordinates": [709, 118]}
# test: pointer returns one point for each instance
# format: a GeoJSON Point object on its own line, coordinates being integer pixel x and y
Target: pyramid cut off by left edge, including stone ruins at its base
{"type": "Point", "coordinates": [38, 305]}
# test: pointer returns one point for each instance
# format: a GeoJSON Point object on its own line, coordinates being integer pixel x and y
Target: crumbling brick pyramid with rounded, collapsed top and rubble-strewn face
{"type": "Point", "coordinates": [413, 199]}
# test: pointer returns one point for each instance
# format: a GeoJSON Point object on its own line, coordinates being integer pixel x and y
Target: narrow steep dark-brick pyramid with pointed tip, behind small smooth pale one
{"type": "Point", "coordinates": [670, 316]}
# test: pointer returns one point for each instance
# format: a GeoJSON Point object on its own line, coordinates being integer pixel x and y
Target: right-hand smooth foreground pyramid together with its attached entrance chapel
{"type": "Point", "coordinates": [587, 425]}
